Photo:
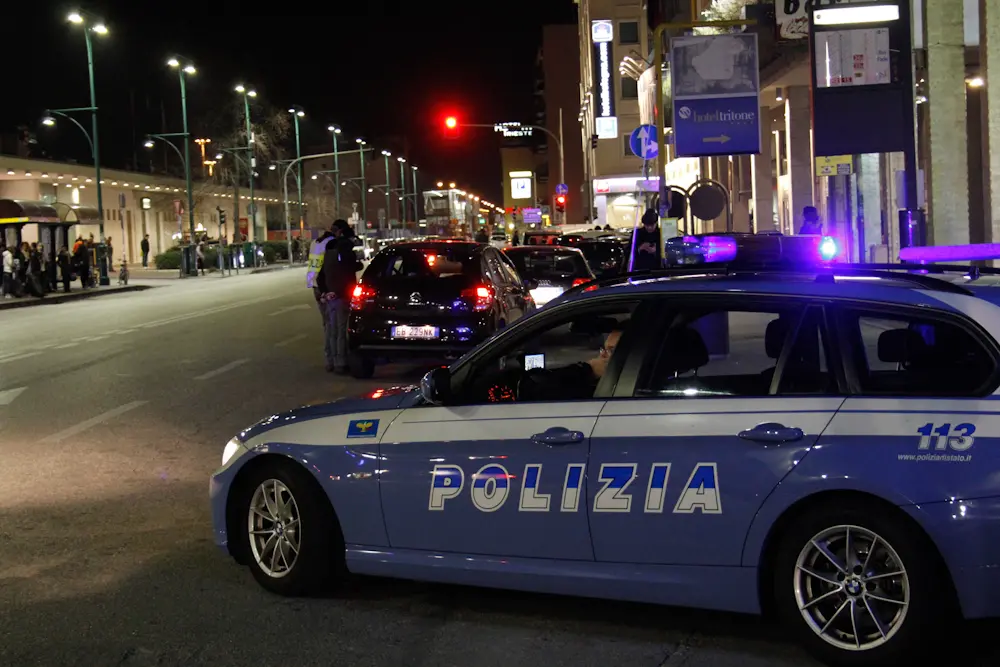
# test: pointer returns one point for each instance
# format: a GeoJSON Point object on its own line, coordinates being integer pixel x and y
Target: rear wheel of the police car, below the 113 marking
{"type": "Point", "coordinates": [907, 629]}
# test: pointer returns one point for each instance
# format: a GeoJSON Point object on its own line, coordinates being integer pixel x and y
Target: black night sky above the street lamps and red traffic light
{"type": "Point", "coordinates": [389, 78]}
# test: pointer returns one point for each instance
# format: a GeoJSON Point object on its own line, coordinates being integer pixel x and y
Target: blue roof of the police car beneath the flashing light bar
{"type": "Point", "coordinates": [887, 287]}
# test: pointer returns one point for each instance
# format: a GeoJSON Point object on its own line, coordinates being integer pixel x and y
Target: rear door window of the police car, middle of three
{"type": "Point", "coordinates": [708, 352]}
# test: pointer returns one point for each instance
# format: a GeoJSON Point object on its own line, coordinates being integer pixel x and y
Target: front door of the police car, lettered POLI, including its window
{"type": "Point", "coordinates": [493, 477]}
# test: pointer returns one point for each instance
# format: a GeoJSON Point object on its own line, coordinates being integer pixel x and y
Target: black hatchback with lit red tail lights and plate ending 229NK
{"type": "Point", "coordinates": [431, 299]}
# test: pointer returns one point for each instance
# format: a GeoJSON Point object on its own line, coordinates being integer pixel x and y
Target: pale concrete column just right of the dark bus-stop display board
{"type": "Point", "coordinates": [948, 196]}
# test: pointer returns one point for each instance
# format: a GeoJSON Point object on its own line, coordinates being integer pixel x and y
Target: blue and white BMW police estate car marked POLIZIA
{"type": "Point", "coordinates": [817, 442]}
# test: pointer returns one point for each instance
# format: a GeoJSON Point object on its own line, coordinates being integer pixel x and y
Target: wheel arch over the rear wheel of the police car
{"type": "Point", "coordinates": [838, 499]}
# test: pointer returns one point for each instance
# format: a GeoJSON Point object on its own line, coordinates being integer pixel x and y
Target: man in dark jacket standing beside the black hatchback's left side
{"type": "Point", "coordinates": [336, 280]}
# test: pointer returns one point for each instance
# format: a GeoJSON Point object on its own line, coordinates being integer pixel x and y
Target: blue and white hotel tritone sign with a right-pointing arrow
{"type": "Point", "coordinates": [716, 93]}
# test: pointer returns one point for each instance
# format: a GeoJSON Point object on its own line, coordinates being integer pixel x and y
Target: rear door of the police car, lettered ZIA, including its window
{"type": "Point", "coordinates": [729, 395]}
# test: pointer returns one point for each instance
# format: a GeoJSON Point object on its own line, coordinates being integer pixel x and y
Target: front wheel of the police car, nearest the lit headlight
{"type": "Point", "coordinates": [309, 522]}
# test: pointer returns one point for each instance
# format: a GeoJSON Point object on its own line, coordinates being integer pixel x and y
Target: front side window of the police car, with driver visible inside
{"type": "Point", "coordinates": [561, 360]}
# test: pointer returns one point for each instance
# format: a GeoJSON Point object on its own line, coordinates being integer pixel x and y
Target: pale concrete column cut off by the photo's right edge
{"type": "Point", "coordinates": [989, 54]}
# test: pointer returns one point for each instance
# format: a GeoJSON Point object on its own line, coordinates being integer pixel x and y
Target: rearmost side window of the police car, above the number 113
{"type": "Point", "coordinates": [915, 356]}
